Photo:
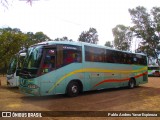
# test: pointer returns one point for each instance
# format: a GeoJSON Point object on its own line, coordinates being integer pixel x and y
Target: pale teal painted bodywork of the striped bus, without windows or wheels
{"type": "Point", "coordinates": [92, 75]}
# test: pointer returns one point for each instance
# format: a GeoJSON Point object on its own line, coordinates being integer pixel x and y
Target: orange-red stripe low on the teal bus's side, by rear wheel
{"type": "Point", "coordinates": [116, 80]}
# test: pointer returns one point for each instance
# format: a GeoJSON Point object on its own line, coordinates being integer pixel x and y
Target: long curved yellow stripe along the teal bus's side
{"type": "Point", "coordinates": [94, 70]}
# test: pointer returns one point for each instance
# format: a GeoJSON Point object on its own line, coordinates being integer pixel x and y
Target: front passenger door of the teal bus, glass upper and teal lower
{"type": "Point", "coordinates": [48, 70]}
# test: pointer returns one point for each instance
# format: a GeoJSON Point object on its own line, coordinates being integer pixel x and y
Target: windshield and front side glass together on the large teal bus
{"type": "Point", "coordinates": [39, 59]}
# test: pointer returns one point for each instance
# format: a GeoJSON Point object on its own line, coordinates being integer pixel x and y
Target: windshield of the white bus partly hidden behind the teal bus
{"type": "Point", "coordinates": [12, 65]}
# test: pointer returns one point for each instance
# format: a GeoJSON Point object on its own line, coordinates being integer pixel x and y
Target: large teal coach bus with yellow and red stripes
{"type": "Point", "coordinates": [73, 67]}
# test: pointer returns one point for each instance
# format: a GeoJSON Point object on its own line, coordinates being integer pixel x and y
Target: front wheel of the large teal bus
{"type": "Point", "coordinates": [73, 89]}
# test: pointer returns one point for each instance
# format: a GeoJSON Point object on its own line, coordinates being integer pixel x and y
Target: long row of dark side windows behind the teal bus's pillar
{"type": "Point", "coordinates": [94, 54]}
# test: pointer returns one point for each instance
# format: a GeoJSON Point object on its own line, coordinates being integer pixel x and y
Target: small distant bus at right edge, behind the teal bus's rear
{"type": "Point", "coordinates": [154, 71]}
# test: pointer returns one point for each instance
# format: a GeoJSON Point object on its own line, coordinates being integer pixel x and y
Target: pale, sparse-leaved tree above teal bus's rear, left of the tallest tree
{"type": "Point", "coordinates": [122, 37]}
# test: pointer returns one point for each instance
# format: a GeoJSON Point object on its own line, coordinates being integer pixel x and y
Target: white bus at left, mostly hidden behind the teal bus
{"type": "Point", "coordinates": [15, 64]}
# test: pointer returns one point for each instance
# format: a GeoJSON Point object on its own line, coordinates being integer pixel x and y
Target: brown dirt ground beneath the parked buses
{"type": "Point", "coordinates": [143, 98]}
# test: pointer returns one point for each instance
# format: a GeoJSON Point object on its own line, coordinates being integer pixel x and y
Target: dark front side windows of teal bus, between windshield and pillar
{"type": "Point", "coordinates": [63, 55]}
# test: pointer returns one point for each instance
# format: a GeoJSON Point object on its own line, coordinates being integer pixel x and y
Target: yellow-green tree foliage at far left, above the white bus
{"type": "Point", "coordinates": [14, 40]}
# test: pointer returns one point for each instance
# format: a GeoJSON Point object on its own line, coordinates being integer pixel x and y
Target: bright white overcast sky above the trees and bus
{"type": "Point", "coordinates": [59, 18]}
